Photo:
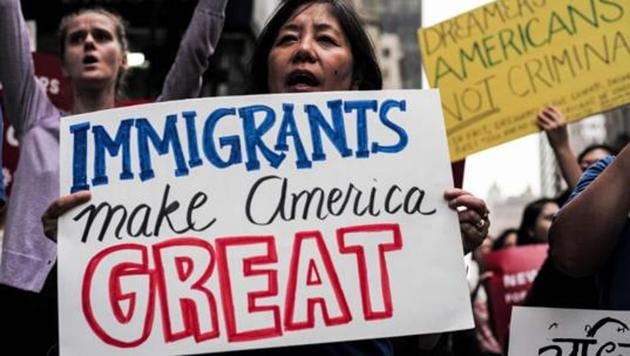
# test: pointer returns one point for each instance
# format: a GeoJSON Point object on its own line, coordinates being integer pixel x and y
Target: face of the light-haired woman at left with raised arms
{"type": "Point", "coordinates": [93, 55]}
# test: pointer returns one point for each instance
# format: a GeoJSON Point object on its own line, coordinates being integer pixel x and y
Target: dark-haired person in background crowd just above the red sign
{"type": "Point", "coordinates": [536, 220]}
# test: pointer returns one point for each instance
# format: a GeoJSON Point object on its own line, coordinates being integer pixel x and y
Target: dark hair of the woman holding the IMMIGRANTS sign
{"type": "Point", "coordinates": [366, 72]}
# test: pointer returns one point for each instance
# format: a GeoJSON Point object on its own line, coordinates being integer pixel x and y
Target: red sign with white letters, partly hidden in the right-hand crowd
{"type": "Point", "coordinates": [513, 271]}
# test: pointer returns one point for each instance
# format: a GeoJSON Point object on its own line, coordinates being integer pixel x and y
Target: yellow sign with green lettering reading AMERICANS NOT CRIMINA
{"type": "Point", "coordinates": [498, 65]}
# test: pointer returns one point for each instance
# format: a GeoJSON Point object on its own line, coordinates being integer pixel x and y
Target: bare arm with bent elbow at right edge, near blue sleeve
{"type": "Point", "coordinates": [586, 230]}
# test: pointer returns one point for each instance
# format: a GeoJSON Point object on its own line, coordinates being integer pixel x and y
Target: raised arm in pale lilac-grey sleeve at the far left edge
{"type": "Point", "coordinates": [25, 101]}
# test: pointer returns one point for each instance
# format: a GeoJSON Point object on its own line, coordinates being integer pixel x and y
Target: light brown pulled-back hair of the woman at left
{"type": "Point", "coordinates": [120, 34]}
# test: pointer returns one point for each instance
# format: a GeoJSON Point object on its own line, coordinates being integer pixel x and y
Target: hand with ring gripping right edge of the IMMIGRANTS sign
{"type": "Point", "coordinates": [473, 217]}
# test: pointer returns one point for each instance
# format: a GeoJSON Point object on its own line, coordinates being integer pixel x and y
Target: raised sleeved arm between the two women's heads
{"type": "Point", "coordinates": [199, 42]}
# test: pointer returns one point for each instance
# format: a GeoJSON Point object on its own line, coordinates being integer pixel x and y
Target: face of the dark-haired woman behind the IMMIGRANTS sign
{"type": "Point", "coordinates": [311, 53]}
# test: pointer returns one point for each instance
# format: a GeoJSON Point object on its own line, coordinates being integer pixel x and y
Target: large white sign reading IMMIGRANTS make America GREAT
{"type": "Point", "coordinates": [258, 221]}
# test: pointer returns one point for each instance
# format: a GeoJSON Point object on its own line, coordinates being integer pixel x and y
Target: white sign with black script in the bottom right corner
{"type": "Point", "coordinates": [557, 332]}
